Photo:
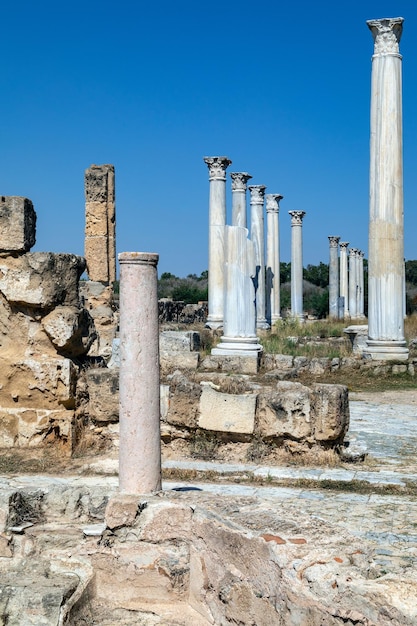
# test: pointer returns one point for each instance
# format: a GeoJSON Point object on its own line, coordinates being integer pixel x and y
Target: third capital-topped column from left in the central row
{"type": "Point", "coordinates": [257, 194]}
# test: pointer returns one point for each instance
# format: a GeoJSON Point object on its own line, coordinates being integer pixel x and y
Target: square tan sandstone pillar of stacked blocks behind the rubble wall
{"type": "Point", "coordinates": [100, 223]}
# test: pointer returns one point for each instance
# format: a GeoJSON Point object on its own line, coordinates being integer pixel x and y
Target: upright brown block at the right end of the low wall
{"type": "Point", "coordinates": [329, 411]}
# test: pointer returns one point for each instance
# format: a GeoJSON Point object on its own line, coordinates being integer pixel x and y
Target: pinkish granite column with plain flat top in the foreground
{"type": "Point", "coordinates": [140, 439]}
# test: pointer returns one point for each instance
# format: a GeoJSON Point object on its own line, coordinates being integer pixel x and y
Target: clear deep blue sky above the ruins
{"type": "Point", "coordinates": [281, 88]}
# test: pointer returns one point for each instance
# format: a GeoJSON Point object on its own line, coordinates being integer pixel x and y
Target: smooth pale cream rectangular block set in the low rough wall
{"type": "Point", "coordinates": [227, 412]}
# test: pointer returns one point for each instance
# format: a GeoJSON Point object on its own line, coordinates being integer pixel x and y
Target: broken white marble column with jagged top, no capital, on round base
{"type": "Point", "coordinates": [239, 331]}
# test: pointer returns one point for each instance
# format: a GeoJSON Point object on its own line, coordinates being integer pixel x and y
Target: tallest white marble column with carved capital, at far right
{"type": "Point", "coordinates": [386, 231]}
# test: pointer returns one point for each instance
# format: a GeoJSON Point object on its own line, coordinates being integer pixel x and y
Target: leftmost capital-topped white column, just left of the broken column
{"type": "Point", "coordinates": [217, 221]}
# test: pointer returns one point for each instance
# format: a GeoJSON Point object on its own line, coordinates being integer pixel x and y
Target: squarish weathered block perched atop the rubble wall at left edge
{"type": "Point", "coordinates": [17, 224]}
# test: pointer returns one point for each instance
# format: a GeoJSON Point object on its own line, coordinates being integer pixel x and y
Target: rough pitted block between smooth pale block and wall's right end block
{"type": "Point", "coordinates": [285, 412]}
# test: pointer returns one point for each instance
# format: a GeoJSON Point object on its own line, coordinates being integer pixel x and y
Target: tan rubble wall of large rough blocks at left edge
{"type": "Point", "coordinates": [44, 332]}
